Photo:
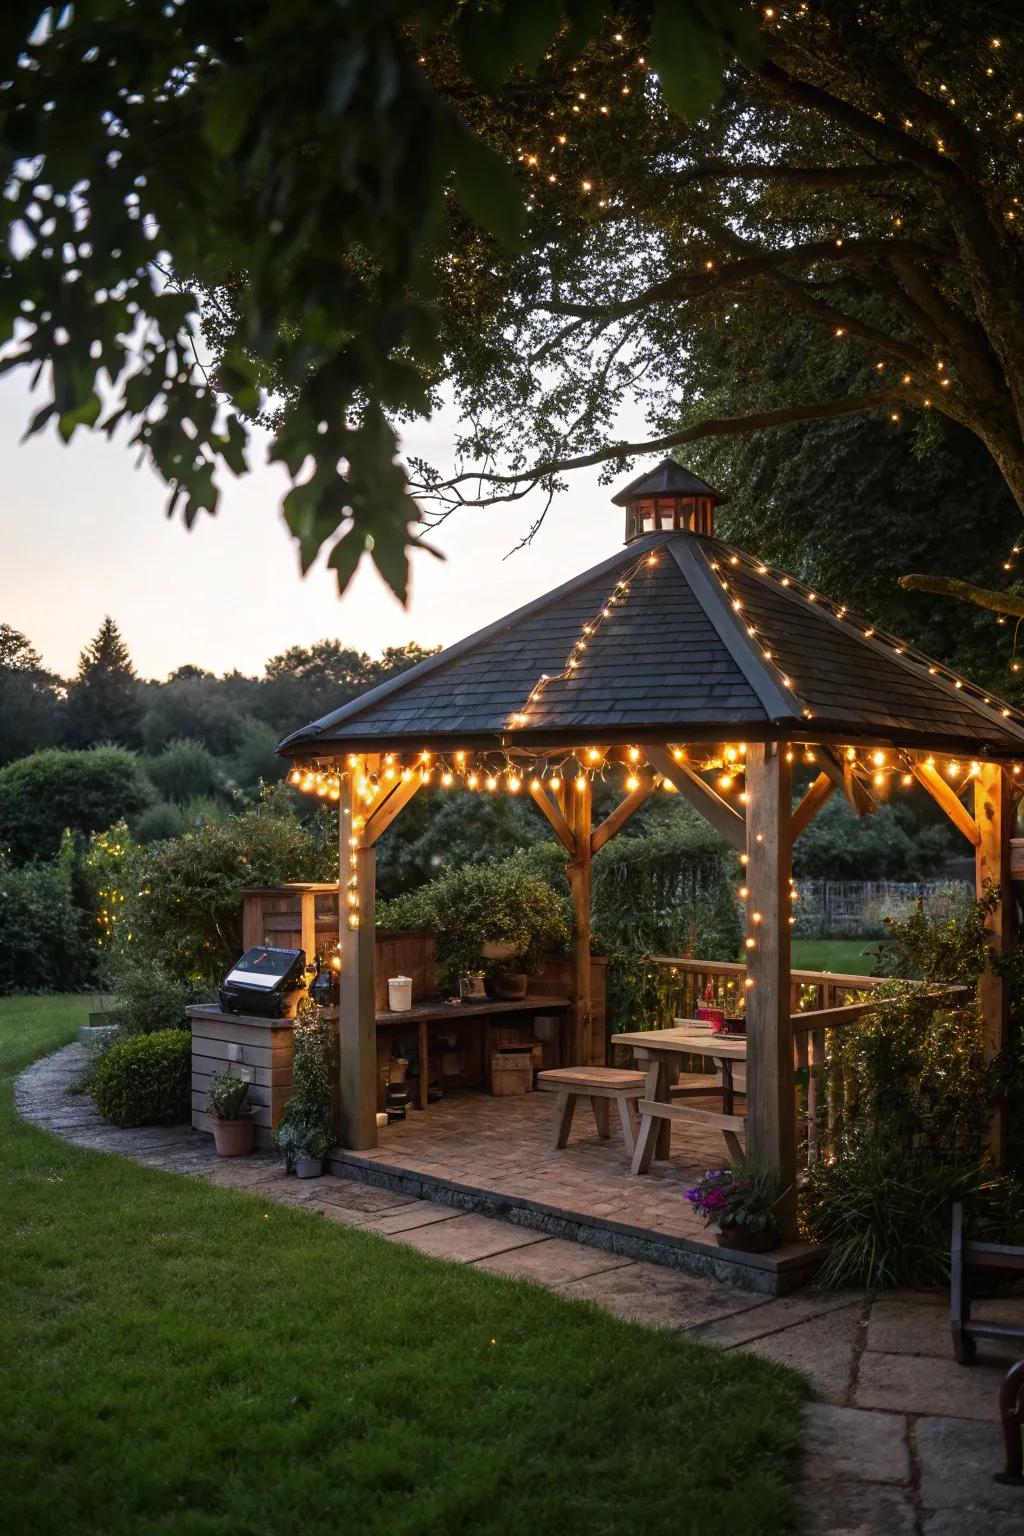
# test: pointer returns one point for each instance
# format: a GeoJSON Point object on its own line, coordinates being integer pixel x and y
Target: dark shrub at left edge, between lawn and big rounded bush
{"type": "Point", "coordinates": [45, 938]}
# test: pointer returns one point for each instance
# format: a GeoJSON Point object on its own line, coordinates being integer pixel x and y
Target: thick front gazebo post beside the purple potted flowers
{"type": "Point", "coordinates": [770, 1065]}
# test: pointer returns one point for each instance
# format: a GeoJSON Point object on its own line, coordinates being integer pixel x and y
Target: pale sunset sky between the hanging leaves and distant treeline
{"type": "Point", "coordinates": [85, 535]}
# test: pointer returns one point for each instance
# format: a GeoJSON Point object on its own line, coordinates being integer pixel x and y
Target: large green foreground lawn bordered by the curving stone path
{"type": "Point", "coordinates": [183, 1360]}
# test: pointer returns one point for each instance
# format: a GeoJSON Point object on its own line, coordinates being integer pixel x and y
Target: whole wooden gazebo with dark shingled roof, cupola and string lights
{"type": "Point", "coordinates": [684, 664]}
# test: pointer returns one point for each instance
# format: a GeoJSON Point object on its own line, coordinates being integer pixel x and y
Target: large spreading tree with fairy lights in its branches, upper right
{"type": "Point", "coordinates": [864, 173]}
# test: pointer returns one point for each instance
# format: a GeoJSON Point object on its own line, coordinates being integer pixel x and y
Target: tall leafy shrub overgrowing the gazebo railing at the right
{"type": "Point", "coordinates": [911, 1093]}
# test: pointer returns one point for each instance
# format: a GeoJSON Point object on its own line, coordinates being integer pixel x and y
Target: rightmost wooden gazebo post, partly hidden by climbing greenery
{"type": "Point", "coordinates": [994, 818]}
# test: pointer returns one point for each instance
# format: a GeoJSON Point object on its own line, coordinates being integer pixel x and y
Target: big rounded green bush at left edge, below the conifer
{"type": "Point", "coordinates": [55, 790]}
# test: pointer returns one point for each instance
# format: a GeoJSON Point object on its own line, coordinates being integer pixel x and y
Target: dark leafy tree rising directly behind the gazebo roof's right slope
{"type": "Point", "coordinates": [847, 505]}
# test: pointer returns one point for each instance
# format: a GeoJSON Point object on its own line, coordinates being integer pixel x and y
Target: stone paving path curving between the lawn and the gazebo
{"type": "Point", "coordinates": [902, 1442]}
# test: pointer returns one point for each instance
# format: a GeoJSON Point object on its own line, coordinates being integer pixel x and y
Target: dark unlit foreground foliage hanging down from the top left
{"type": "Point", "coordinates": [296, 164]}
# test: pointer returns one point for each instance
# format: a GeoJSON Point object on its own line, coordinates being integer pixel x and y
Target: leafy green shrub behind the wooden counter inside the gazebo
{"type": "Point", "coordinates": [501, 902]}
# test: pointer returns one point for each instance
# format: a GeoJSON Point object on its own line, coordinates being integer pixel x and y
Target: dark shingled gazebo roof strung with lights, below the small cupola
{"type": "Point", "coordinates": [701, 643]}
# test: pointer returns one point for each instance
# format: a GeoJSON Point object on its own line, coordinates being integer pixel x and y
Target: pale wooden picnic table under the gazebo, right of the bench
{"type": "Point", "coordinates": [661, 1054]}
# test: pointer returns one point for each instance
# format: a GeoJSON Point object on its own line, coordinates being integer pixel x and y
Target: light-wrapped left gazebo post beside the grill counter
{"type": "Point", "coordinates": [357, 1010]}
